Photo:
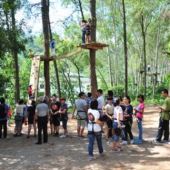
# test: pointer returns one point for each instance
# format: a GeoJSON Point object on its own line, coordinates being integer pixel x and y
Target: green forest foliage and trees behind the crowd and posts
{"type": "Point", "coordinates": [148, 41]}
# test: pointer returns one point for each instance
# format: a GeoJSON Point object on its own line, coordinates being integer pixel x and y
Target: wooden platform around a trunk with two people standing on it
{"type": "Point", "coordinates": [93, 45]}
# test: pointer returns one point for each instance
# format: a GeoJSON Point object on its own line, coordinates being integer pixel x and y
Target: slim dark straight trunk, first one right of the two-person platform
{"type": "Point", "coordinates": [125, 49]}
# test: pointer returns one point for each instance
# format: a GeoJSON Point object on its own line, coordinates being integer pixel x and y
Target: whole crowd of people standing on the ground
{"type": "Point", "coordinates": [112, 114]}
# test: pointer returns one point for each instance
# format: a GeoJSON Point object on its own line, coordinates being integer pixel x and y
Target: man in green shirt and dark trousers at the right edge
{"type": "Point", "coordinates": [164, 119]}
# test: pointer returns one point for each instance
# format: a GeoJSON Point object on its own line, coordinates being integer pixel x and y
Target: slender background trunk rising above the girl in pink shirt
{"type": "Point", "coordinates": [144, 52]}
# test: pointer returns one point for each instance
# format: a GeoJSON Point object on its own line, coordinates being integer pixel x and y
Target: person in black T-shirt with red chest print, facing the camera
{"type": "Point", "coordinates": [55, 106]}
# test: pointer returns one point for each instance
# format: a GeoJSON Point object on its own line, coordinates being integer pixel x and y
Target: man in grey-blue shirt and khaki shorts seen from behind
{"type": "Point", "coordinates": [81, 106]}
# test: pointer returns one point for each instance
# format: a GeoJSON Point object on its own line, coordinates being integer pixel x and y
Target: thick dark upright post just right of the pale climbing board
{"type": "Point", "coordinates": [45, 23]}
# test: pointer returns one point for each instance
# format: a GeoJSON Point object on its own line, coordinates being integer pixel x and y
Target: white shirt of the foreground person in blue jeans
{"type": "Point", "coordinates": [96, 127]}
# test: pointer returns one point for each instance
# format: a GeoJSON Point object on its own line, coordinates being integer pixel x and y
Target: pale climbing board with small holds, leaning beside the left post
{"type": "Point", "coordinates": [34, 76]}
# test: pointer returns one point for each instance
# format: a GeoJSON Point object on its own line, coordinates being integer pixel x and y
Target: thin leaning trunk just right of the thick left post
{"type": "Point", "coordinates": [55, 67]}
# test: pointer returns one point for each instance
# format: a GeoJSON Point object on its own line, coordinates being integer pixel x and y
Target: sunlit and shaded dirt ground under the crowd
{"type": "Point", "coordinates": [17, 153]}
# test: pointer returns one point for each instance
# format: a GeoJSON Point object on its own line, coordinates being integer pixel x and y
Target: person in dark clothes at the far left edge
{"type": "Point", "coordinates": [3, 118]}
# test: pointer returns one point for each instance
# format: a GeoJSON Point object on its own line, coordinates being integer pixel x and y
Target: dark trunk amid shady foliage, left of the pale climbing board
{"type": "Point", "coordinates": [15, 55]}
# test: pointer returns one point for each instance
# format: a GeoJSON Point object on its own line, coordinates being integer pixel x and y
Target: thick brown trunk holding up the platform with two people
{"type": "Point", "coordinates": [93, 79]}
